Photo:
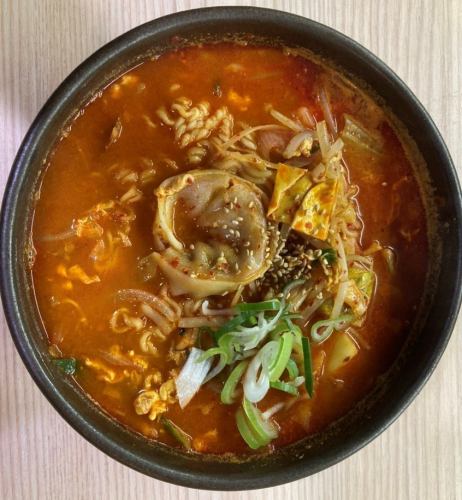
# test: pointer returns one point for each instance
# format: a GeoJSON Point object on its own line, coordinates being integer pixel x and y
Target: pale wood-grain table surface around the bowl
{"type": "Point", "coordinates": [41, 457]}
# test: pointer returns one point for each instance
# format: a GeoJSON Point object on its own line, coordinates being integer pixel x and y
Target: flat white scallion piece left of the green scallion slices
{"type": "Point", "coordinates": [192, 376]}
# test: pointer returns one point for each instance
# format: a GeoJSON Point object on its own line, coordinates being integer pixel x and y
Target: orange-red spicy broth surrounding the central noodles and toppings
{"type": "Point", "coordinates": [119, 137]}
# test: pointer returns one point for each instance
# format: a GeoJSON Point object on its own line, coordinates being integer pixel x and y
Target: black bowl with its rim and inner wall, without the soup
{"type": "Point", "coordinates": [433, 325]}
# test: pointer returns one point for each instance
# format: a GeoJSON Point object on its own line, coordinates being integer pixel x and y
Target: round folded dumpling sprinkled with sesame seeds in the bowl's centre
{"type": "Point", "coordinates": [231, 243]}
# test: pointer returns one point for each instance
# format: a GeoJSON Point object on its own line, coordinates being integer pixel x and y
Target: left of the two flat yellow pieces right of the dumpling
{"type": "Point", "coordinates": [290, 187]}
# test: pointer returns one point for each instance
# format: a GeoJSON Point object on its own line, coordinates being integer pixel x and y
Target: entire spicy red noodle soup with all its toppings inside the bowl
{"type": "Point", "coordinates": [230, 247]}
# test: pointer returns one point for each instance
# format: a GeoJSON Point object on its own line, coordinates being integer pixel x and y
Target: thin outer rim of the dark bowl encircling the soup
{"type": "Point", "coordinates": [11, 299]}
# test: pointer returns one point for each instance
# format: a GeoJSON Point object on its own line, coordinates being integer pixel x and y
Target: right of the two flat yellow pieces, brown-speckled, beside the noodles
{"type": "Point", "coordinates": [314, 214]}
